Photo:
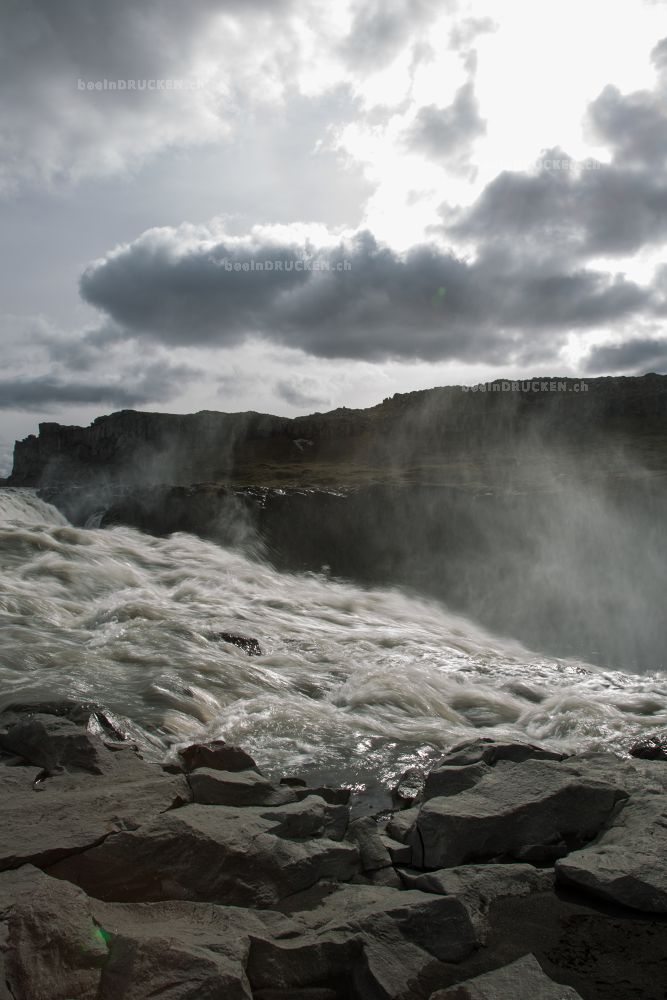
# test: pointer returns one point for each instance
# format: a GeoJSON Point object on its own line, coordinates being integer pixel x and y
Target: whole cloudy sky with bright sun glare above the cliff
{"type": "Point", "coordinates": [292, 206]}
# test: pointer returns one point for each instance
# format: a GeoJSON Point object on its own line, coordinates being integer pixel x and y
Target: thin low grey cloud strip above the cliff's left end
{"type": "Point", "coordinates": [158, 382]}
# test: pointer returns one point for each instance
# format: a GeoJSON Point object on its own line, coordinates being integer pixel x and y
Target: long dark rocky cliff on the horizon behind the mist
{"type": "Point", "coordinates": [447, 435]}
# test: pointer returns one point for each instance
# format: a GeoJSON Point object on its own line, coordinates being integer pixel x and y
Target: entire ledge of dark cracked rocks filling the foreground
{"type": "Point", "coordinates": [515, 874]}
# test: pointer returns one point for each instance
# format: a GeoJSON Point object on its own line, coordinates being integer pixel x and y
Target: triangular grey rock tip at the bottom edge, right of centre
{"type": "Point", "coordinates": [522, 980]}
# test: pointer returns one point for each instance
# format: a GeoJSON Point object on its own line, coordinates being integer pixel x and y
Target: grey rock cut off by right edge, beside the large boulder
{"type": "Point", "coordinates": [627, 863]}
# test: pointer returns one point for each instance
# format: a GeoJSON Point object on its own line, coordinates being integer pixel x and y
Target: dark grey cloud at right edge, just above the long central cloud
{"type": "Point", "coordinates": [598, 209]}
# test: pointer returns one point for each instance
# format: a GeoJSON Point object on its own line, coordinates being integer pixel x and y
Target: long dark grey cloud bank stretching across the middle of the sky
{"type": "Point", "coordinates": [372, 303]}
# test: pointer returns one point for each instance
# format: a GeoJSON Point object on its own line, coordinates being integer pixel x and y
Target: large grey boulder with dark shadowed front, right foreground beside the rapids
{"type": "Point", "coordinates": [535, 804]}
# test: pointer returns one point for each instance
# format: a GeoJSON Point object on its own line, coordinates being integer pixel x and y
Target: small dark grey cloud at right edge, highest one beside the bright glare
{"type": "Point", "coordinates": [634, 125]}
